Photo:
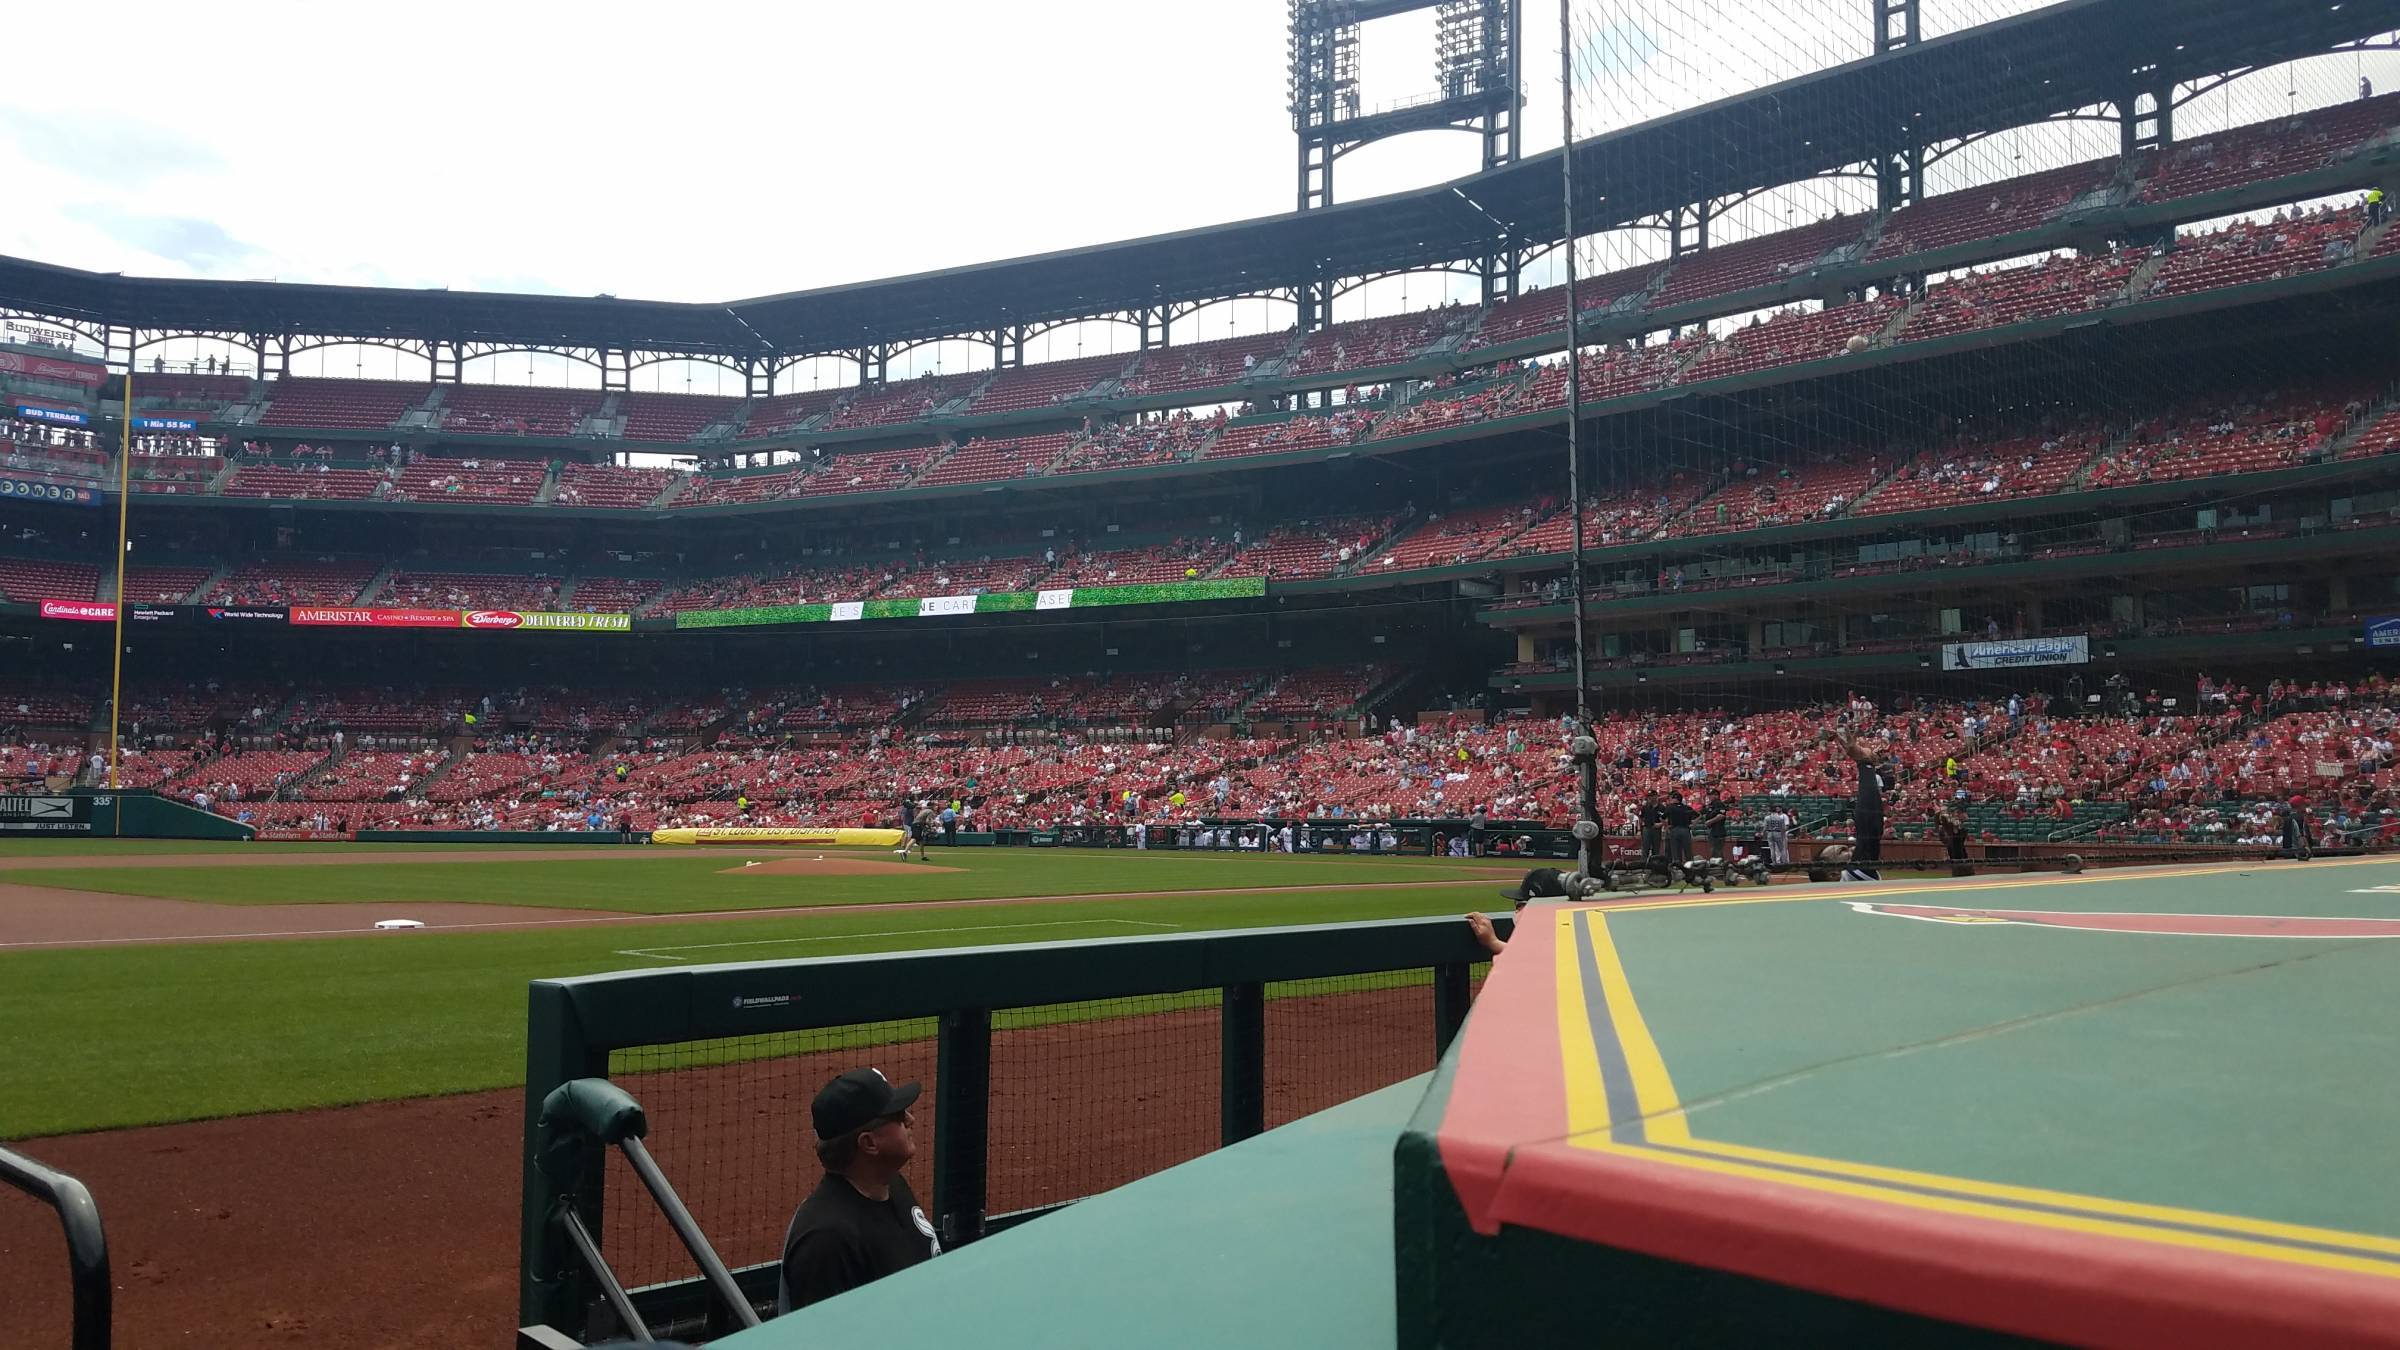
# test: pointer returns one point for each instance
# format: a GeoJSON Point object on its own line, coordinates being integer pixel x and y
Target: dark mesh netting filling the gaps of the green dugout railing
{"type": "Point", "coordinates": [1084, 1097]}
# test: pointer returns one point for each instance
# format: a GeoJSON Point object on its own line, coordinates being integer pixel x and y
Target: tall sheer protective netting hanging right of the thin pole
{"type": "Point", "coordinates": [1861, 429]}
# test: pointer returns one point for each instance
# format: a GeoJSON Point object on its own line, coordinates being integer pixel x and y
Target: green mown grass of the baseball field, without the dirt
{"type": "Point", "coordinates": [148, 1034]}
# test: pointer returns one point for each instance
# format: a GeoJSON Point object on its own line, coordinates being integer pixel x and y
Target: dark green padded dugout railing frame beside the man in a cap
{"type": "Point", "coordinates": [580, 1022]}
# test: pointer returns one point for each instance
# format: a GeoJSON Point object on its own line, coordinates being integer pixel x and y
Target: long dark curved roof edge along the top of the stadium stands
{"type": "Point", "coordinates": [2051, 61]}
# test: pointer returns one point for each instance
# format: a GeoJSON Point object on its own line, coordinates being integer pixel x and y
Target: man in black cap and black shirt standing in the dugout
{"type": "Point", "coordinates": [863, 1221]}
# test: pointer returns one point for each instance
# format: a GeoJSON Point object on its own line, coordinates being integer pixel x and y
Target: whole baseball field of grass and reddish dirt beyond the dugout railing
{"type": "Point", "coordinates": [272, 1097]}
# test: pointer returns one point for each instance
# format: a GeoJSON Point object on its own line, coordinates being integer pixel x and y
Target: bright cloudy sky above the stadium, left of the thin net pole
{"type": "Point", "coordinates": [678, 153]}
